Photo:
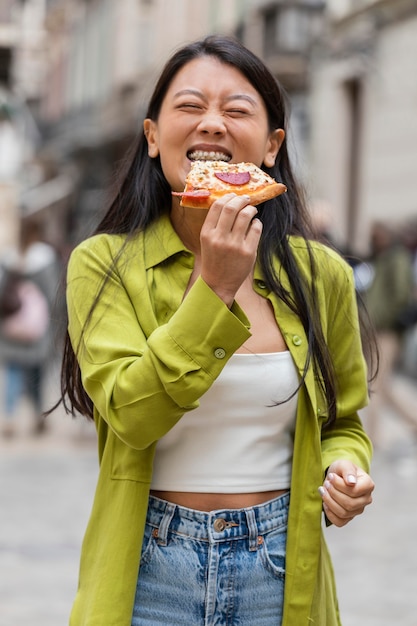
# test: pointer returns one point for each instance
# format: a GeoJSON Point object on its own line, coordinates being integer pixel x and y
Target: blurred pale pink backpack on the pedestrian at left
{"type": "Point", "coordinates": [30, 322]}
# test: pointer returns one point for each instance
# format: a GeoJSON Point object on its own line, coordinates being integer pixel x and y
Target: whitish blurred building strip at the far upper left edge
{"type": "Point", "coordinates": [21, 82]}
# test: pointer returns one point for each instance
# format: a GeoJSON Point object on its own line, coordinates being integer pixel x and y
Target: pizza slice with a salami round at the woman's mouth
{"type": "Point", "coordinates": [209, 180]}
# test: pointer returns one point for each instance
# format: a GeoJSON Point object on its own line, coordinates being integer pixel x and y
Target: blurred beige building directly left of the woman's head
{"type": "Point", "coordinates": [102, 58]}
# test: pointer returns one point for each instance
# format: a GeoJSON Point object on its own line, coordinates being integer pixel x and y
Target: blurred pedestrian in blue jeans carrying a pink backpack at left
{"type": "Point", "coordinates": [30, 279]}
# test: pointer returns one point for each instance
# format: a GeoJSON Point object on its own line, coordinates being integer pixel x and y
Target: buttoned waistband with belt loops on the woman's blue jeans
{"type": "Point", "coordinates": [220, 525]}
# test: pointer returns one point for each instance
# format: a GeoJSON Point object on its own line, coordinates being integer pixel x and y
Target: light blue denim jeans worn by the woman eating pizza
{"type": "Point", "coordinates": [207, 569]}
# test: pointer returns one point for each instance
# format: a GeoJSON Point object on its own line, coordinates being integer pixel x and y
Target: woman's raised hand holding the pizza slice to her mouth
{"type": "Point", "coordinates": [229, 242]}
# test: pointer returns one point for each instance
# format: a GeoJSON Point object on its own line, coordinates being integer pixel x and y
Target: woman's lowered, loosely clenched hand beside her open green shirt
{"type": "Point", "coordinates": [346, 491]}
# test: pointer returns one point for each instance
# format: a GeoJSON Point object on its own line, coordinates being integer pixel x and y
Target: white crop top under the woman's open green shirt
{"type": "Point", "coordinates": [238, 440]}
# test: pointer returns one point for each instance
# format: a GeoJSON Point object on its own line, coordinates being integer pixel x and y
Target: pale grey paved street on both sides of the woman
{"type": "Point", "coordinates": [46, 488]}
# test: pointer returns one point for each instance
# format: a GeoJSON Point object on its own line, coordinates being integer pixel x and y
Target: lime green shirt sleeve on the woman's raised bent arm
{"type": "Point", "coordinates": [142, 376]}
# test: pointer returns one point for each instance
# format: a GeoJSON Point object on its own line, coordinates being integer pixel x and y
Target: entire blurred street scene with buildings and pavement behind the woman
{"type": "Point", "coordinates": [74, 80]}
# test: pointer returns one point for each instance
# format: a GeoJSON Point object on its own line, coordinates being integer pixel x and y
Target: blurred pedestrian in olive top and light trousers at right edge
{"type": "Point", "coordinates": [389, 293]}
